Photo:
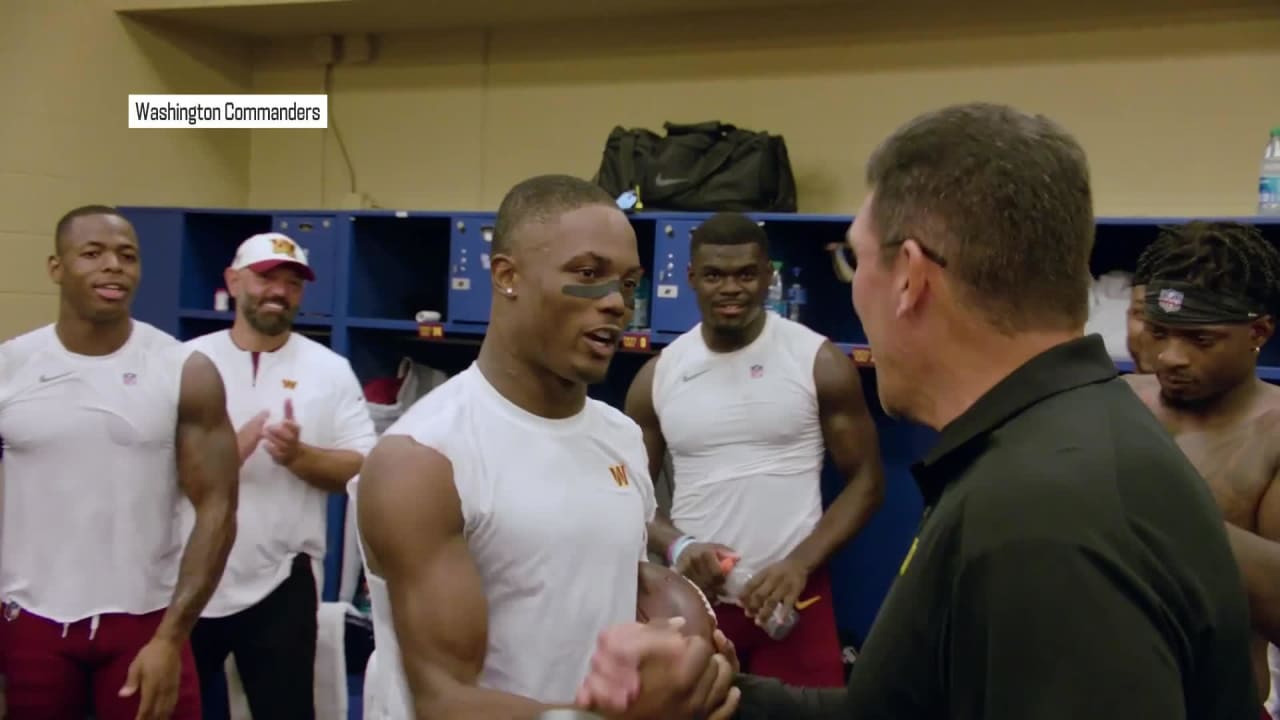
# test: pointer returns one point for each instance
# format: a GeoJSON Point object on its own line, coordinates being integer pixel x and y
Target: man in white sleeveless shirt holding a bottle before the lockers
{"type": "Point", "coordinates": [747, 403]}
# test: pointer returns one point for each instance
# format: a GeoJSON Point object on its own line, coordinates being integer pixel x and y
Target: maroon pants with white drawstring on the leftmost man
{"type": "Point", "coordinates": [61, 672]}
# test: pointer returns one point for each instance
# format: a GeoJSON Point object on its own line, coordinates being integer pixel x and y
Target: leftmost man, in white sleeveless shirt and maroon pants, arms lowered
{"type": "Point", "coordinates": [108, 425]}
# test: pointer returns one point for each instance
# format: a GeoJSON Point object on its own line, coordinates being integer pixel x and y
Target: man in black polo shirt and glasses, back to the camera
{"type": "Point", "coordinates": [1071, 564]}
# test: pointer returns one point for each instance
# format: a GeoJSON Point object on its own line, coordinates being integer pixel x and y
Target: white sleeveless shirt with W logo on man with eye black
{"type": "Point", "coordinates": [555, 517]}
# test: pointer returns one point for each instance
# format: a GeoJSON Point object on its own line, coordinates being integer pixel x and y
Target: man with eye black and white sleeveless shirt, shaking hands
{"type": "Point", "coordinates": [504, 516]}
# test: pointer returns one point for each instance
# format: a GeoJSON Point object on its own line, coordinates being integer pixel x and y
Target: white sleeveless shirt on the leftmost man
{"type": "Point", "coordinates": [90, 476]}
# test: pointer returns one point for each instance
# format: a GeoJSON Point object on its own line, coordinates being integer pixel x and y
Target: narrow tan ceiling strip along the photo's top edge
{"type": "Point", "coordinates": [333, 17]}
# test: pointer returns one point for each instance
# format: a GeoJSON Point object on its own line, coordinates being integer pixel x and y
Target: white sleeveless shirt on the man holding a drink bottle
{"type": "Point", "coordinates": [746, 439]}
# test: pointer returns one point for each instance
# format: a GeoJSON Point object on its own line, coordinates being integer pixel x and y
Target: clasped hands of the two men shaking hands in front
{"type": "Point", "coordinates": [653, 672]}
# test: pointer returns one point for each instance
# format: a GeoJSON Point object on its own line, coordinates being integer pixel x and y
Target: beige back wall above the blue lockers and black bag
{"type": "Point", "coordinates": [1169, 98]}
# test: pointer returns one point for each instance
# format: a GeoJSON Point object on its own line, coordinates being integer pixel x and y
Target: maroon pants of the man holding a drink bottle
{"type": "Point", "coordinates": [810, 658]}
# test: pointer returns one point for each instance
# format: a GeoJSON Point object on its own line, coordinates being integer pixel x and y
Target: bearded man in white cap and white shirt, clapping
{"type": "Point", "coordinates": [305, 430]}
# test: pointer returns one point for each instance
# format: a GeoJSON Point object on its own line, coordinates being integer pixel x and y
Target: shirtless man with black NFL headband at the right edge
{"type": "Point", "coordinates": [1212, 295]}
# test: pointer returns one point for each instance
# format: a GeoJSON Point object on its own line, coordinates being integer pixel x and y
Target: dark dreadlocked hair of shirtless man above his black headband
{"type": "Point", "coordinates": [1218, 257]}
